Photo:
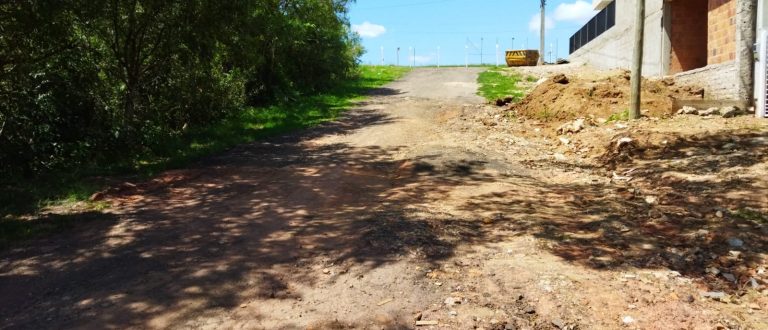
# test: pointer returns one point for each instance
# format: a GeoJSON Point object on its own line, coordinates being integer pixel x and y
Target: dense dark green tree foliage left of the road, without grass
{"type": "Point", "coordinates": [86, 81]}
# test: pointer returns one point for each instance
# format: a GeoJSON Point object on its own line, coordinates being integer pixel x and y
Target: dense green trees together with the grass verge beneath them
{"type": "Point", "coordinates": [90, 90]}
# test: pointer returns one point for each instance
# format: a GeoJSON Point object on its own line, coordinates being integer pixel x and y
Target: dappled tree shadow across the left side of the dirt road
{"type": "Point", "coordinates": [251, 223]}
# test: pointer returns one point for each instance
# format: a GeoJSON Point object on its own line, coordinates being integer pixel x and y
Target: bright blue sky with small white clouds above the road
{"type": "Point", "coordinates": [453, 24]}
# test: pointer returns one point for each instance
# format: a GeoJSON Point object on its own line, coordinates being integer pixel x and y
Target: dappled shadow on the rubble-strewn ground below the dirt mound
{"type": "Point", "coordinates": [693, 204]}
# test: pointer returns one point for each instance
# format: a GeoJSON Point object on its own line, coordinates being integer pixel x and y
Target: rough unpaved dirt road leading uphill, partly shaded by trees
{"type": "Point", "coordinates": [402, 210]}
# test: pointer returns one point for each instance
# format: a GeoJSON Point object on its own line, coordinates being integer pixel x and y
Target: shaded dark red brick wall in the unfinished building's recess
{"type": "Point", "coordinates": [688, 34]}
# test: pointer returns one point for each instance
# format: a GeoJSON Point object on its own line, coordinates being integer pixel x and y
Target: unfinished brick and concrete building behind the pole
{"type": "Point", "coordinates": [704, 42]}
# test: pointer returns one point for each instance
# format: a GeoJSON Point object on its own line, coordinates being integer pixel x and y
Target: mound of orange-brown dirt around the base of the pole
{"type": "Point", "coordinates": [566, 98]}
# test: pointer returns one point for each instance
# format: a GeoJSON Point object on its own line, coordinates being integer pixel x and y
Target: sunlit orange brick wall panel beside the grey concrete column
{"type": "Point", "coordinates": [722, 31]}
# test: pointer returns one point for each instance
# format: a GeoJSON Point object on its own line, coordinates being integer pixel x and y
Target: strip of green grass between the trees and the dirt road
{"type": "Point", "coordinates": [21, 204]}
